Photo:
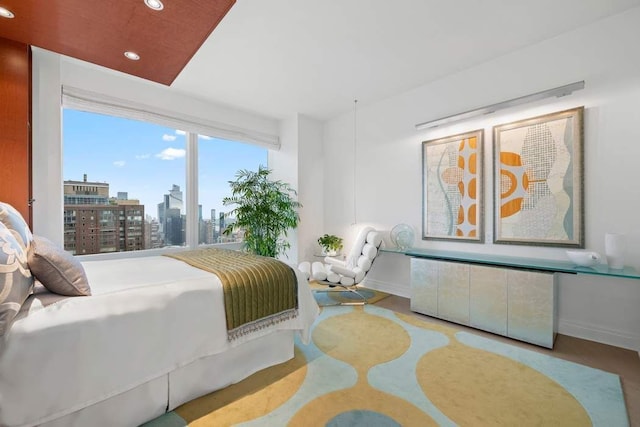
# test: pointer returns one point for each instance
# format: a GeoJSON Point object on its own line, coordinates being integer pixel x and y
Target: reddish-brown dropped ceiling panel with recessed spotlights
{"type": "Point", "coordinates": [101, 31]}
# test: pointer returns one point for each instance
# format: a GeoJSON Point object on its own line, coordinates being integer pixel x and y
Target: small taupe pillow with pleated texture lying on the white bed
{"type": "Point", "coordinates": [58, 270]}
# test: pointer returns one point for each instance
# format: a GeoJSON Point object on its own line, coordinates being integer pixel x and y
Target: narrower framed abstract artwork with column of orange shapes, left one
{"type": "Point", "coordinates": [452, 188]}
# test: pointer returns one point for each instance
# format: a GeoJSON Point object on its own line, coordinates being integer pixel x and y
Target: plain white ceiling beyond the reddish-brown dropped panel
{"type": "Point", "coordinates": [279, 57]}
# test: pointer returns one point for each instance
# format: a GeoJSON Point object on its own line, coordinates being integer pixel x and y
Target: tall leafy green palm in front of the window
{"type": "Point", "coordinates": [264, 209]}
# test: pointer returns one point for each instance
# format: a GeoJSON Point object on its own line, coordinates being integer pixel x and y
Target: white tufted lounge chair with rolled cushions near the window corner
{"type": "Point", "coordinates": [349, 272]}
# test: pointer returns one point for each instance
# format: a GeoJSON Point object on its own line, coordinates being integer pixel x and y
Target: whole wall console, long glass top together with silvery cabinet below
{"type": "Point", "coordinates": [507, 295]}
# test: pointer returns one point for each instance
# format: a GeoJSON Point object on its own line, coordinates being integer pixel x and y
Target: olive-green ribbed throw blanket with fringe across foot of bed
{"type": "Point", "coordinates": [258, 291]}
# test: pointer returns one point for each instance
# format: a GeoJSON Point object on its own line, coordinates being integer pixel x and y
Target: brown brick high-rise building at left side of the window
{"type": "Point", "coordinates": [93, 225]}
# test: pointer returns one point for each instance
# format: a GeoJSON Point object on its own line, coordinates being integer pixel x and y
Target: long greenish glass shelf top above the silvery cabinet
{"type": "Point", "coordinates": [519, 262]}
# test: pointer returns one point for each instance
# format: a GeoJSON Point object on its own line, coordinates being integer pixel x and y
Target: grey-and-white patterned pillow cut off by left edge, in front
{"type": "Point", "coordinates": [16, 282]}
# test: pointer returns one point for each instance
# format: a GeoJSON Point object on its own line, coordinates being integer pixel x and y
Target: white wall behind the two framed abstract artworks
{"type": "Point", "coordinates": [389, 173]}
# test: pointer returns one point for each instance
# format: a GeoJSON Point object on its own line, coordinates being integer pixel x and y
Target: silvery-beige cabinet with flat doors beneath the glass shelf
{"type": "Point", "coordinates": [513, 302]}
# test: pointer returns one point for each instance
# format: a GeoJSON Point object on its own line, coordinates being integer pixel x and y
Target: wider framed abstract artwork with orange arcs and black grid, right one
{"type": "Point", "coordinates": [538, 180]}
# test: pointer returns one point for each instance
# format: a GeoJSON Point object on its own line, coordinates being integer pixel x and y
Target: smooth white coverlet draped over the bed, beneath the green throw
{"type": "Point", "coordinates": [147, 317]}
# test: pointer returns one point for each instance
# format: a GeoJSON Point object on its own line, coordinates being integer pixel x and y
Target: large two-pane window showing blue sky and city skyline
{"type": "Point", "coordinates": [124, 183]}
